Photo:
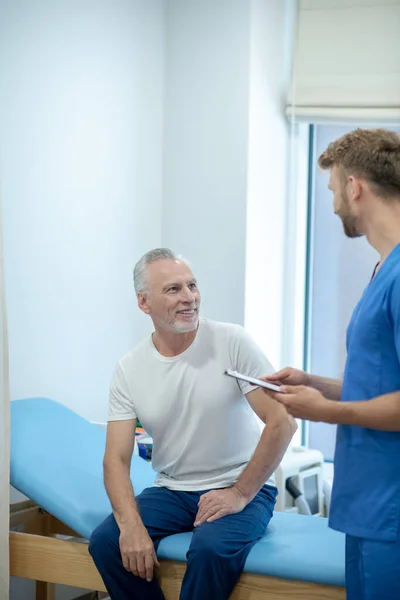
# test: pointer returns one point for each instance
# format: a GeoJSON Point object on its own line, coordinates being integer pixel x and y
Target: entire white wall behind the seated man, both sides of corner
{"type": "Point", "coordinates": [126, 126]}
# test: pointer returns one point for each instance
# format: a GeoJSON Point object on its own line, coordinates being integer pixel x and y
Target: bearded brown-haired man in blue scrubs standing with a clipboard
{"type": "Point", "coordinates": [365, 180]}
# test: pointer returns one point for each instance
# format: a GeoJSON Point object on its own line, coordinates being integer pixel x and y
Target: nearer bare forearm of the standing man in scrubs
{"type": "Point", "coordinates": [382, 413]}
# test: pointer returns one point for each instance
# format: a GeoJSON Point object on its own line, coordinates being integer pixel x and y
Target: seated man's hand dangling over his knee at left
{"type": "Point", "coordinates": [137, 551]}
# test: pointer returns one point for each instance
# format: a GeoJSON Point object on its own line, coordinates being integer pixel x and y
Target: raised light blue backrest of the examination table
{"type": "Point", "coordinates": [56, 459]}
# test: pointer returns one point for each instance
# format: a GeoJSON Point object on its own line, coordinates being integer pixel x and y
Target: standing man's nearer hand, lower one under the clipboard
{"type": "Point", "coordinates": [305, 403]}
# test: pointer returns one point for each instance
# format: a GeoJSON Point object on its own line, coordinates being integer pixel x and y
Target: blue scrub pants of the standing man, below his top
{"type": "Point", "coordinates": [372, 569]}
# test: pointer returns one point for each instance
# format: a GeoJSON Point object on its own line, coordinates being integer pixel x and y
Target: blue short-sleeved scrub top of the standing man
{"type": "Point", "coordinates": [366, 489]}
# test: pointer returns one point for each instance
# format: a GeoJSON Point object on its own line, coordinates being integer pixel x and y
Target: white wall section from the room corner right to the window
{"type": "Point", "coordinates": [226, 155]}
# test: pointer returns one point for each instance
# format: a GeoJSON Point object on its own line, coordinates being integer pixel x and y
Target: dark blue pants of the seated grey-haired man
{"type": "Point", "coordinates": [216, 555]}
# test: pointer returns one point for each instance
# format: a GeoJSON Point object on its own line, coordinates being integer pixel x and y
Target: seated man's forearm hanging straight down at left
{"type": "Point", "coordinates": [120, 492]}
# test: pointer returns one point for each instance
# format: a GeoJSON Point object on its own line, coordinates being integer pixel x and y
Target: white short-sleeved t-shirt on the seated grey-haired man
{"type": "Point", "coordinates": [204, 431]}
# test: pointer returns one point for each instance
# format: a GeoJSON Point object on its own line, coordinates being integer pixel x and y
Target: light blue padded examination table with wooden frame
{"type": "Point", "coordinates": [56, 461]}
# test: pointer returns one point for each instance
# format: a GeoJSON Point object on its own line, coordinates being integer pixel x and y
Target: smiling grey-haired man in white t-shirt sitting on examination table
{"type": "Point", "coordinates": [212, 460]}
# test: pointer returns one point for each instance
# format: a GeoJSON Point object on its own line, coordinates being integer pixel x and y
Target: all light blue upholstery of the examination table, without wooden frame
{"type": "Point", "coordinates": [56, 460]}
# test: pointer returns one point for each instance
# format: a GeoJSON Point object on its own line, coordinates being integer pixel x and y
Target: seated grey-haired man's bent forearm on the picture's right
{"type": "Point", "coordinates": [266, 458]}
